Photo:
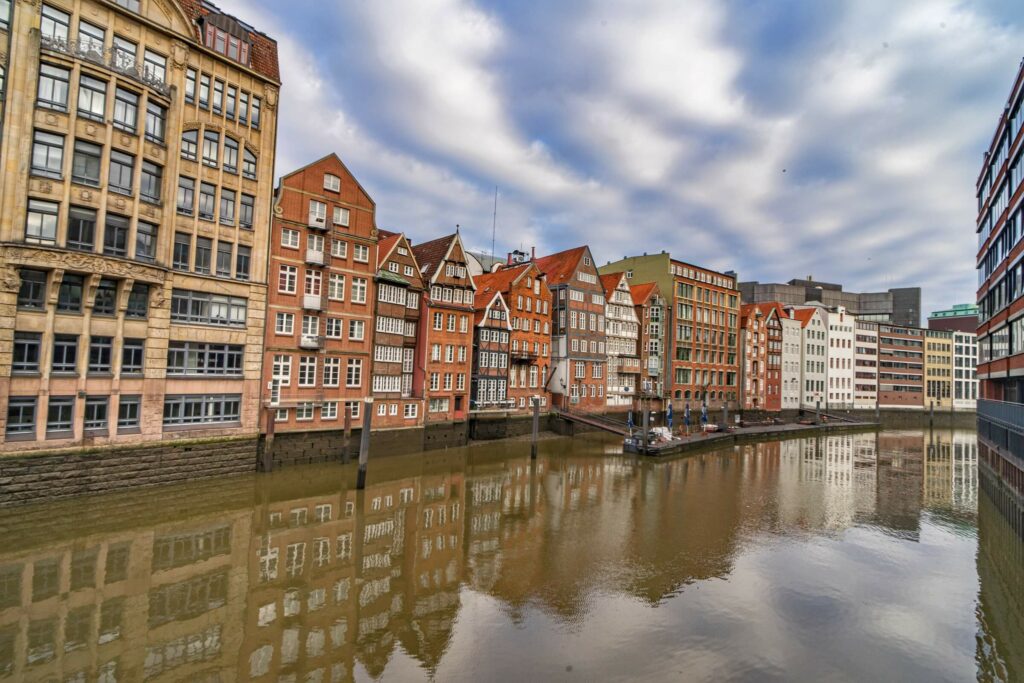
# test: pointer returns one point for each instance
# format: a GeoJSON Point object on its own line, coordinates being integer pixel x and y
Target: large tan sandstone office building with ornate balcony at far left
{"type": "Point", "coordinates": [138, 147]}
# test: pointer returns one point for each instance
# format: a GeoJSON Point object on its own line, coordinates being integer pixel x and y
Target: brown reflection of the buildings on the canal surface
{"type": "Point", "coordinates": [298, 577]}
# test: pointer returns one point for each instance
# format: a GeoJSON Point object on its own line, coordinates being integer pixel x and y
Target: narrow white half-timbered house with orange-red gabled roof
{"type": "Point", "coordinates": [623, 331]}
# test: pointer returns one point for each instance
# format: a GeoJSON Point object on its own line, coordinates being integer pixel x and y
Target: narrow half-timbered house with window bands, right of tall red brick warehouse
{"type": "Point", "coordinates": [398, 396]}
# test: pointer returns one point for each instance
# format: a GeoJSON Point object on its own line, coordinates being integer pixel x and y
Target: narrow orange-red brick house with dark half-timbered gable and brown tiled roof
{"type": "Point", "coordinates": [446, 328]}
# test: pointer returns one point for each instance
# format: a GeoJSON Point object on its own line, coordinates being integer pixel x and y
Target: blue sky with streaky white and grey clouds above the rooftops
{"type": "Point", "coordinates": [778, 139]}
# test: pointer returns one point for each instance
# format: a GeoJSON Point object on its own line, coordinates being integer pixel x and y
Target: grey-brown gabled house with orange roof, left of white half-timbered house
{"type": "Point", "coordinates": [578, 336]}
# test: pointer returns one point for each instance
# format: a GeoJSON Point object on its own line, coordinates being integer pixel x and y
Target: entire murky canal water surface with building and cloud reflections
{"type": "Point", "coordinates": [850, 558]}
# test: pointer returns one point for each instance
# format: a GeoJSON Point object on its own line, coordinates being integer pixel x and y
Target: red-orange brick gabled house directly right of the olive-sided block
{"type": "Point", "coordinates": [761, 346]}
